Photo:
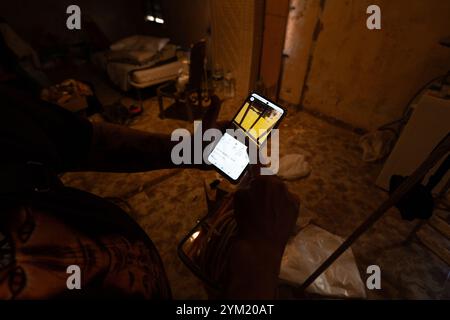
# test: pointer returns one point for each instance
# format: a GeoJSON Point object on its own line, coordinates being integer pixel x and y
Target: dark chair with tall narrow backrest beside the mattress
{"type": "Point", "coordinates": [194, 94]}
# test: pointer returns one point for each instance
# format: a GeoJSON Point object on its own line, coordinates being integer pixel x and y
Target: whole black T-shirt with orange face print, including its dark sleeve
{"type": "Point", "coordinates": [42, 234]}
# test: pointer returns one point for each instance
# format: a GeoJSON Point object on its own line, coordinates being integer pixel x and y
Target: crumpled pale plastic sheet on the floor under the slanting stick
{"type": "Point", "coordinates": [307, 250]}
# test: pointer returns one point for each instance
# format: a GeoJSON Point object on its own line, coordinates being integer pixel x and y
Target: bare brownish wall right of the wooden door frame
{"type": "Point", "coordinates": [366, 77]}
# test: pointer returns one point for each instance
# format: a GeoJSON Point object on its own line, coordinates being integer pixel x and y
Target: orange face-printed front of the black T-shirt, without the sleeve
{"type": "Point", "coordinates": [40, 241]}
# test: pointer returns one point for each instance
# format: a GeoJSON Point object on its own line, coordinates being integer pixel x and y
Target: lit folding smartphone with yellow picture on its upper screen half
{"type": "Point", "coordinates": [257, 117]}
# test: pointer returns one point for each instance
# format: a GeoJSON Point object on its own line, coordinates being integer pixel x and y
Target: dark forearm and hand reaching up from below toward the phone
{"type": "Point", "coordinates": [265, 213]}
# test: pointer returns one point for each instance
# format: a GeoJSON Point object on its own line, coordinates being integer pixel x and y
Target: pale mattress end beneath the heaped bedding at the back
{"type": "Point", "coordinates": [153, 75]}
